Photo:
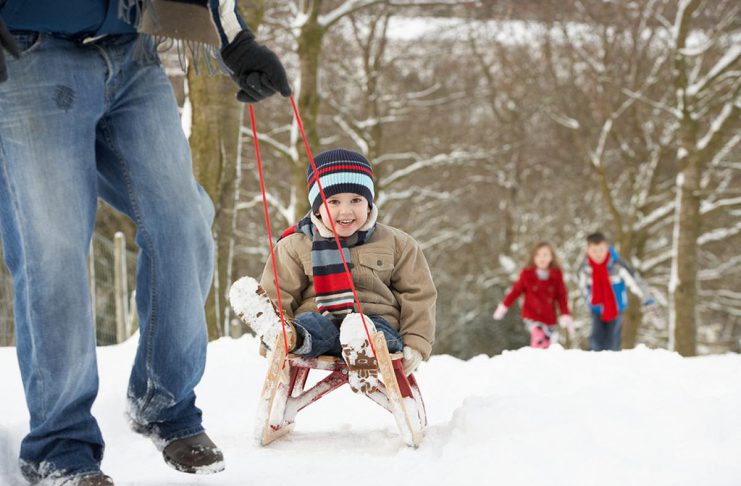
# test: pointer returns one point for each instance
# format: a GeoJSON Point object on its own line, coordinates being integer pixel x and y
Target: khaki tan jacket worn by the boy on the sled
{"type": "Point", "coordinates": [391, 277]}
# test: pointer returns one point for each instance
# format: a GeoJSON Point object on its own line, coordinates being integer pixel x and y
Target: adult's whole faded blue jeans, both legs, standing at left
{"type": "Point", "coordinates": [80, 122]}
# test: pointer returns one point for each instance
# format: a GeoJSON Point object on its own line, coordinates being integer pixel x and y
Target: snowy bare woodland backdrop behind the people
{"type": "Point", "coordinates": [492, 126]}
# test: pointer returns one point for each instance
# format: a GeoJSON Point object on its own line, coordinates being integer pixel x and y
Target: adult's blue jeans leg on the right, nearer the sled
{"type": "Point", "coordinates": [145, 171]}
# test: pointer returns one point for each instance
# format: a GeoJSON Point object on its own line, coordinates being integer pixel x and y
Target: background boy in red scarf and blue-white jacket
{"type": "Point", "coordinates": [604, 278]}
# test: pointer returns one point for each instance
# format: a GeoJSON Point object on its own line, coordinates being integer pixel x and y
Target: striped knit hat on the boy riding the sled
{"type": "Point", "coordinates": [340, 171]}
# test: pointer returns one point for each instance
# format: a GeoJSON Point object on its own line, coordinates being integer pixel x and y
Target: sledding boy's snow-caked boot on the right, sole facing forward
{"type": "Point", "coordinates": [362, 366]}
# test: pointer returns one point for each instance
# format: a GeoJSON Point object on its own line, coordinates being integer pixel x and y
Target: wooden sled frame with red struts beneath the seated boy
{"type": "Point", "coordinates": [283, 394]}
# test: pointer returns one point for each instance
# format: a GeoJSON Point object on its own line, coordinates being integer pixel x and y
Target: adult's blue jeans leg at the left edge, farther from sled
{"type": "Point", "coordinates": [48, 200]}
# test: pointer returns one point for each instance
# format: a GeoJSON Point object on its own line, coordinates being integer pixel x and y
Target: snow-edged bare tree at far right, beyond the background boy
{"type": "Point", "coordinates": [707, 109]}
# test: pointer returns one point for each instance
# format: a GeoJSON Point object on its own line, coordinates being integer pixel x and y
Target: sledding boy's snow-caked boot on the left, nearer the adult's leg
{"type": "Point", "coordinates": [252, 304]}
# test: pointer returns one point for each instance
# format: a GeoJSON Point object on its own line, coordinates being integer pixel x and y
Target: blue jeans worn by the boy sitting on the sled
{"type": "Point", "coordinates": [322, 336]}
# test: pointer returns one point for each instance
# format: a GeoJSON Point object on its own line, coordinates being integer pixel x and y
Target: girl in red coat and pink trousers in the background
{"type": "Point", "coordinates": [542, 283]}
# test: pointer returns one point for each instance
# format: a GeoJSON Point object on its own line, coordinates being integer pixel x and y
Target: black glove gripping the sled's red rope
{"type": "Point", "coordinates": [255, 68]}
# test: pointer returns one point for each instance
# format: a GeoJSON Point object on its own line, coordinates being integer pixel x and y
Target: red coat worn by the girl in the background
{"type": "Point", "coordinates": [541, 296]}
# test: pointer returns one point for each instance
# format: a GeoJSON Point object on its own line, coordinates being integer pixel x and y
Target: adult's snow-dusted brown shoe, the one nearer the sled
{"type": "Point", "coordinates": [195, 455]}
